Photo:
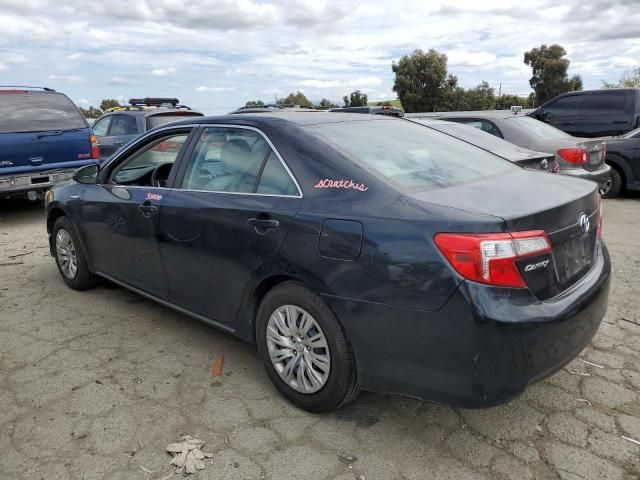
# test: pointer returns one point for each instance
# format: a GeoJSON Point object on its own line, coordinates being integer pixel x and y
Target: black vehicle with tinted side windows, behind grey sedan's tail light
{"type": "Point", "coordinates": [593, 113]}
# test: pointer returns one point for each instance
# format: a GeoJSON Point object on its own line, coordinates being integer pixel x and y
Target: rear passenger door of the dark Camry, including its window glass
{"type": "Point", "coordinates": [233, 203]}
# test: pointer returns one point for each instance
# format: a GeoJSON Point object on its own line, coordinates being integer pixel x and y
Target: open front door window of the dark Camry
{"type": "Point", "coordinates": [138, 169]}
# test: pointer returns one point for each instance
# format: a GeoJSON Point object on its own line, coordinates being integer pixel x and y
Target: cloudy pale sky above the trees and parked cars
{"type": "Point", "coordinates": [216, 54]}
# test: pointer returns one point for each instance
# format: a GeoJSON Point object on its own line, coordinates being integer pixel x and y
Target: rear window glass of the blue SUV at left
{"type": "Point", "coordinates": [38, 112]}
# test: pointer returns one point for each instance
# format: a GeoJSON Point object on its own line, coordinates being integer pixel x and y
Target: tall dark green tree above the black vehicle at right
{"type": "Point", "coordinates": [549, 68]}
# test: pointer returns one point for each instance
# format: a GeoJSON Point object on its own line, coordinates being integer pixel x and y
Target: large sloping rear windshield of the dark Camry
{"type": "Point", "coordinates": [409, 155]}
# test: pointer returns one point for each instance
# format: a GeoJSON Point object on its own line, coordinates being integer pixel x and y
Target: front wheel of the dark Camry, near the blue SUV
{"type": "Point", "coordinates": [69, 256]}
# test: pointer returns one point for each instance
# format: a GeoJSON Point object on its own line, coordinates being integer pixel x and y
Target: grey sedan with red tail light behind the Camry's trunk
{"type": "Point", "coordinates": [578, 157]}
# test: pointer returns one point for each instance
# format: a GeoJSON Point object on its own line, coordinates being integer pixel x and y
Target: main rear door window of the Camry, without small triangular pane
{"type": "Point", "coordinates": [226, 159]}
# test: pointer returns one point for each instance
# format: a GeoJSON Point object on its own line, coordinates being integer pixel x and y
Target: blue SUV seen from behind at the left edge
{"type": "Point", "coordinates": [43, 139]}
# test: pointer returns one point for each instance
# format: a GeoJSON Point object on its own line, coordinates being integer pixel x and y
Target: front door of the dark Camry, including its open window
{"type": "Point", "coordinates": [120, 213]}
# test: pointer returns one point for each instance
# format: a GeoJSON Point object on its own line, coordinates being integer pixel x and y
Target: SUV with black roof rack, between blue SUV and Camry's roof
{"type": "Point", "coordinates": [120, 125]}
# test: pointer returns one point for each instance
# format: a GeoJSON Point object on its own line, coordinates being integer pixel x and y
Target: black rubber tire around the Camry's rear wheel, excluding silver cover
{"type": "Point", "coordinates": [341, 385]}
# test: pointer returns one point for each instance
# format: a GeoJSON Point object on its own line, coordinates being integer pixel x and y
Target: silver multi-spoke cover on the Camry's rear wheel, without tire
{"type": "Point", "coordinates": [298, 349]}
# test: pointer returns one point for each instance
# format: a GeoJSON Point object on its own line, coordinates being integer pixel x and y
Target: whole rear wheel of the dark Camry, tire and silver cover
{"type": "Point", "coordinates": [304, 349]}
